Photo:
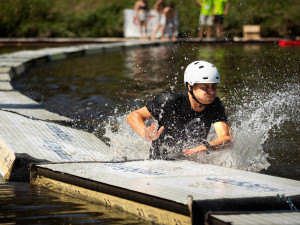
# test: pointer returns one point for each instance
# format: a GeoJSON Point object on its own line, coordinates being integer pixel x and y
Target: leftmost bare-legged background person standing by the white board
{"type": "Point", "coordinates": [141, 14]}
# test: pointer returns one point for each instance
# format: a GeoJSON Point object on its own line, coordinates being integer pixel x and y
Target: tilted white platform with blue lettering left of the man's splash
{"type": "Point", "coordinates": [45, 141]}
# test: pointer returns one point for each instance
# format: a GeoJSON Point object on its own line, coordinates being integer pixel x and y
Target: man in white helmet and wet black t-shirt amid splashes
{"type": "Point", "coordinates": [184, 118]}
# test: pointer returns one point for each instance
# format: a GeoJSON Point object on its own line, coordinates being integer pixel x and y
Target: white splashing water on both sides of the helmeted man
{"type": "Point", "coordinates": [250, 125]}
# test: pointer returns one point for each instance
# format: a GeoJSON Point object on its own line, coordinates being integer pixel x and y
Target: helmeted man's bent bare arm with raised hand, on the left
{"type": "Point", "coordinates": [136, 120]}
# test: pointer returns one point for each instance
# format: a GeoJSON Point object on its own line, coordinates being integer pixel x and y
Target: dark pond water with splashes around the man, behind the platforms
{"type": "Point", "coordinates": [259, 87]}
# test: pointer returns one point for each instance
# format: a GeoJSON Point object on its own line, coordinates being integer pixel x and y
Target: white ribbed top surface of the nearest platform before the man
{"type": "Point", "coordinates": [176, 180]}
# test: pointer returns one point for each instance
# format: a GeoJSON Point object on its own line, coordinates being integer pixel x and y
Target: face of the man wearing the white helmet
{"type": "Point", "coordinates": [205, 93]}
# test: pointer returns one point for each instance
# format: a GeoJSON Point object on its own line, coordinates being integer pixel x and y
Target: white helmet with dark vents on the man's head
{"type": "Point", "coordinates": [201, 72]}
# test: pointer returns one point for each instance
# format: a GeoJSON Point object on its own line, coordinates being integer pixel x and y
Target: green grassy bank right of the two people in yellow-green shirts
{"type": "Point", "coordinates": [276, 17]}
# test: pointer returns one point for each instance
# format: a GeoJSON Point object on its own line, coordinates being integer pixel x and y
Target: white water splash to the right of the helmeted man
{"type": "Point", "coordinates": [251, 124]}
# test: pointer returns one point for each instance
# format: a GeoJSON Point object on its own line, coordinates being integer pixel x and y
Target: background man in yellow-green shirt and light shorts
{"type": "Point", "coordinates": [205, 17]}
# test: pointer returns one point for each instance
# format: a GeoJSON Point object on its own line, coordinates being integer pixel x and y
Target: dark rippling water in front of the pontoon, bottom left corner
{"type": "Point", "coordinates": [23, 204]}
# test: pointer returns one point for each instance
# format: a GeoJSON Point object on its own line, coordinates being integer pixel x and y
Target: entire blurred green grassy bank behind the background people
{"type": "Point", "coordinates": [102, 18]}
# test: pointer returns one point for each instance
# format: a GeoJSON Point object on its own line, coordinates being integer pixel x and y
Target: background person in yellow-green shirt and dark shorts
{"type": "Point", "coordinates": [220, 9]}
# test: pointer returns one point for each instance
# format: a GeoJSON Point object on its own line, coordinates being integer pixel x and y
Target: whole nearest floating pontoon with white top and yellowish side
{"type": "Point", "coordinates": [168, 192]}
